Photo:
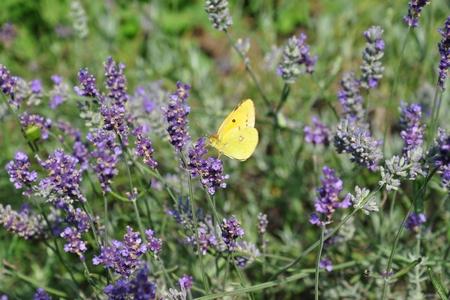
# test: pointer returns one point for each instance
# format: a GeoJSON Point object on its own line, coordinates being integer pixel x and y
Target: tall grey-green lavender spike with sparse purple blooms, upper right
{"type": "Point", "coordinates": [372, 68]}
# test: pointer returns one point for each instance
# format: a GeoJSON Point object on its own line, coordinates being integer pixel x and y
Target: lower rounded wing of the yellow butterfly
{"type": "Point", "coordinates": [239, 143]}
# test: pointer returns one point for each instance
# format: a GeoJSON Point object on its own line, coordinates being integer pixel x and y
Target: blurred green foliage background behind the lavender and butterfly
{"type": "Point", "coordinates": [173, 40]}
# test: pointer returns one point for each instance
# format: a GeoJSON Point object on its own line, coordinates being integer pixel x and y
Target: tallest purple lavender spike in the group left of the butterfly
{"type": "Point", "coordinates": [116, 82]}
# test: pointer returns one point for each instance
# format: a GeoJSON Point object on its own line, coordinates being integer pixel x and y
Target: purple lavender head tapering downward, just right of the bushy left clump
{"type": "Point", "coordinates": [106, 155]}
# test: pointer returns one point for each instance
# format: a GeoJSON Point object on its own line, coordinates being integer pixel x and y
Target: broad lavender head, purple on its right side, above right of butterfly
{"type": "Point", "coordinates": [296, 59]}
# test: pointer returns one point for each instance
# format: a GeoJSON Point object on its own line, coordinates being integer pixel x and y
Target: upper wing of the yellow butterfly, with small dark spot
{"type": "Point", "coordinates": [242, 116]}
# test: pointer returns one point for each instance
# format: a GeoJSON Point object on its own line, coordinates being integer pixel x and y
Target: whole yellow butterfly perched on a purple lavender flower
{"type": "Point", "coordinates": [237, 137]}
